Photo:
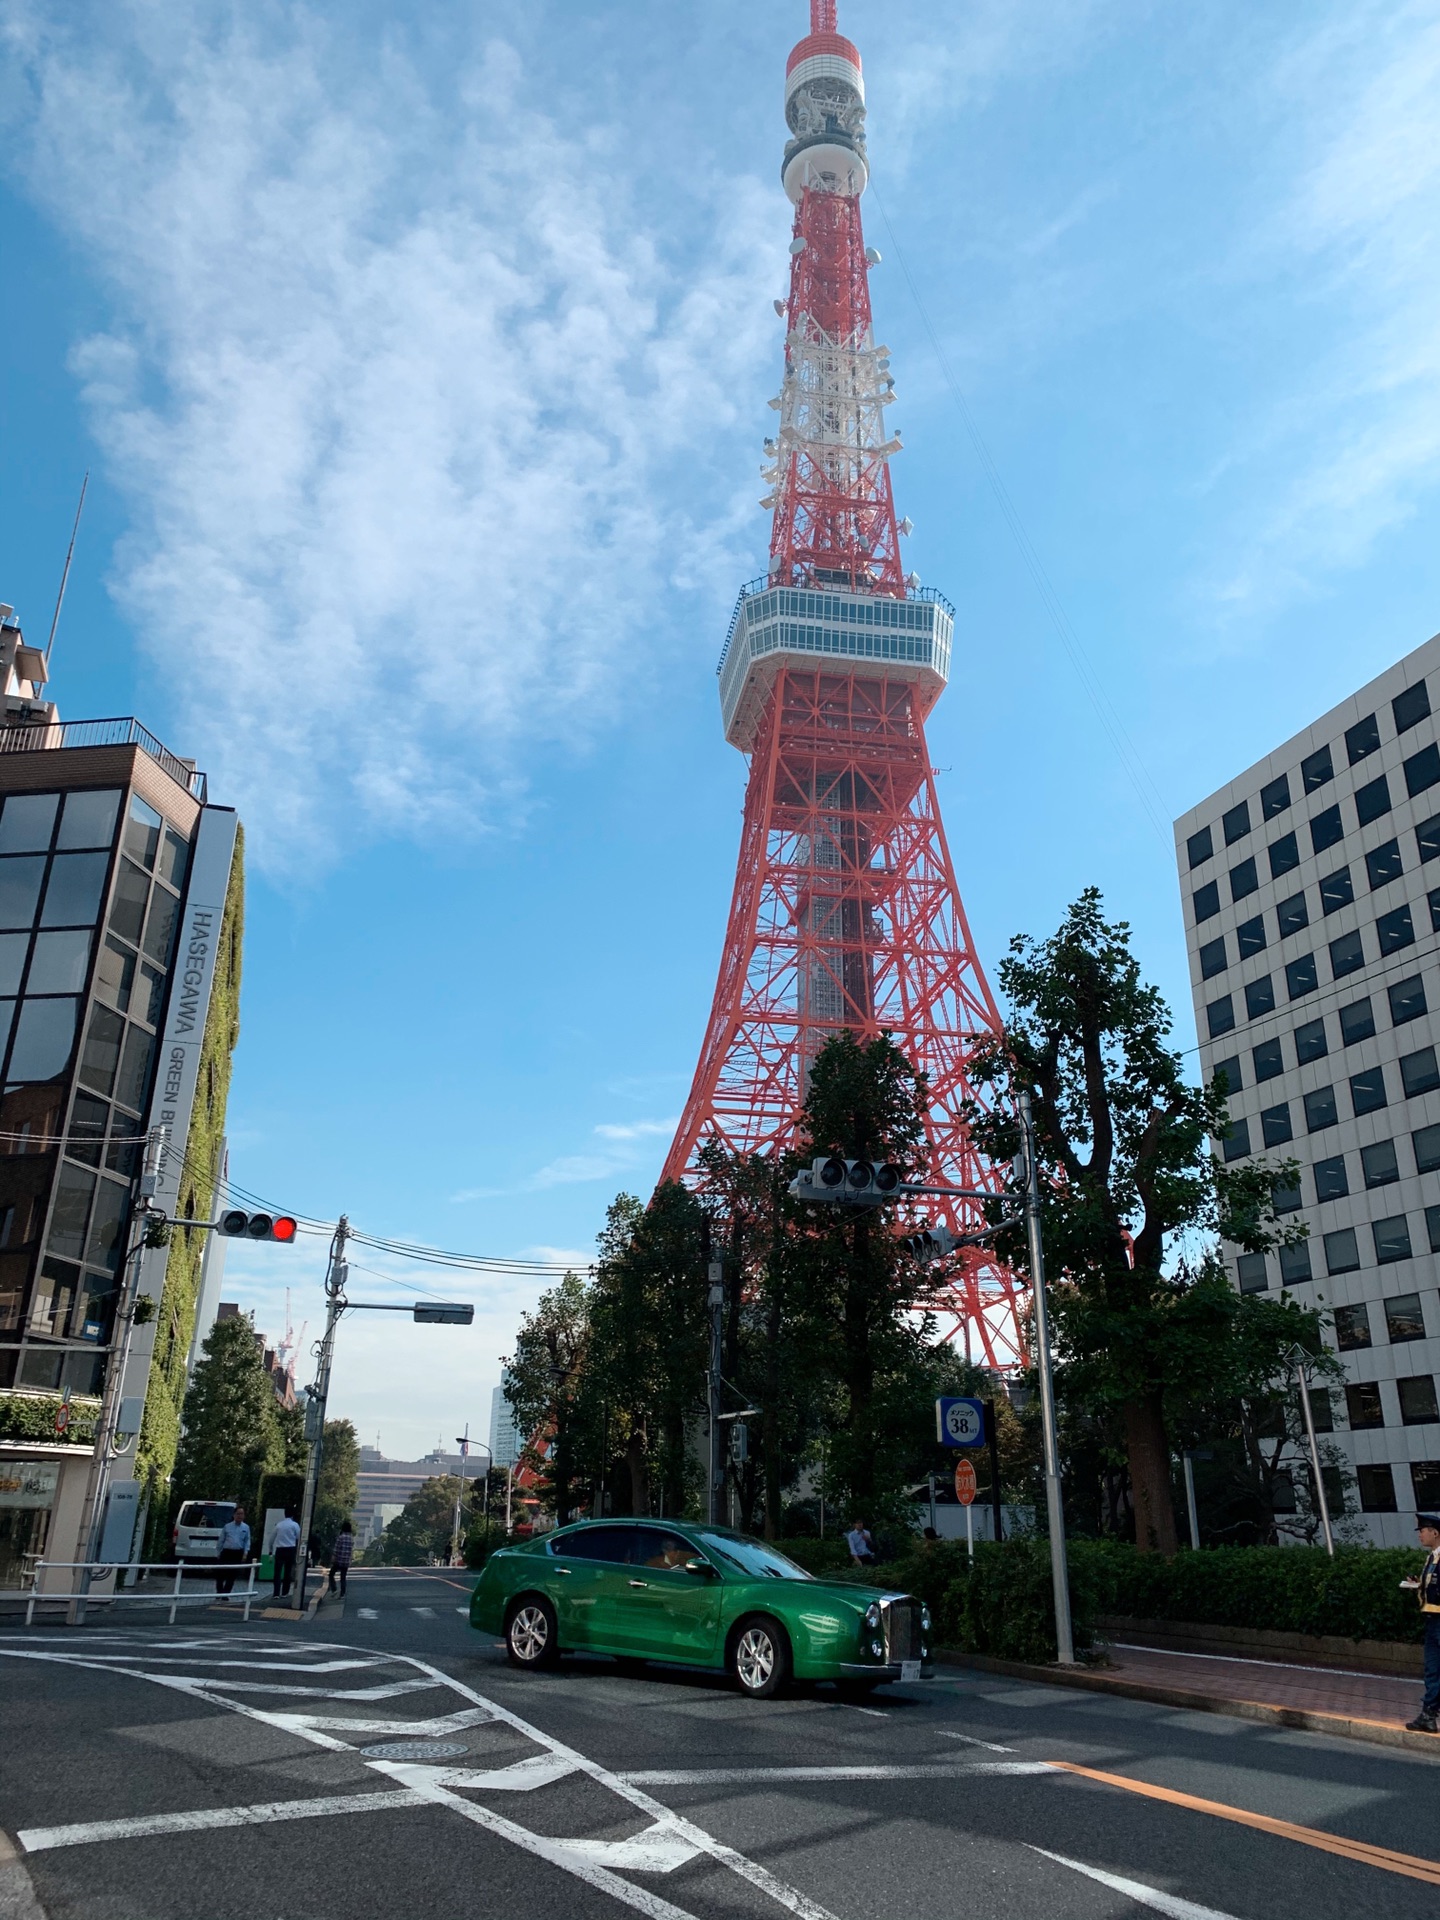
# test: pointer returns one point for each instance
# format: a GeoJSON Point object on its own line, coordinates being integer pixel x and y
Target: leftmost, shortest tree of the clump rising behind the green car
{"type": "Point", "coordinates": [544, 1389]}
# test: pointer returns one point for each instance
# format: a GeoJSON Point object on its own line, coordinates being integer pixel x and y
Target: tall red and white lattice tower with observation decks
{"type": "Point", "coordinates": [846, 909]}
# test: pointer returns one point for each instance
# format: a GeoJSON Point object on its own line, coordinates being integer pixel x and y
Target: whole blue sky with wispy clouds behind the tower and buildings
{"type": "Point", "coordinates": [421, 370]}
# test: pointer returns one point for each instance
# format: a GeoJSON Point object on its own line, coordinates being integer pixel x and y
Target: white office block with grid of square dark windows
{"type": "Point", "coordinates": [1312, 911]}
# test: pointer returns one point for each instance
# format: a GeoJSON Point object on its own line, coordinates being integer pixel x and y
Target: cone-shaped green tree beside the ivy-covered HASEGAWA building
{"type": "Point", "coordinates": [231, 1429]}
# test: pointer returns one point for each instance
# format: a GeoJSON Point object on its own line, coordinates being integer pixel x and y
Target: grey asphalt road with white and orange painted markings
{"type": "Point", "coordinates": [226, 1771]}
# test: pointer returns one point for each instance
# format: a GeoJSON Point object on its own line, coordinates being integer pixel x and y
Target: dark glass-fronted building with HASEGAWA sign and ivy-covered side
{"type": "Point", "coordinates": [120, 928]}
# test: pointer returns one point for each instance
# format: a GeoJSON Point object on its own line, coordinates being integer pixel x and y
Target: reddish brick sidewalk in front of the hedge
{"type": "Point", "coordinates": [1322, 1700]}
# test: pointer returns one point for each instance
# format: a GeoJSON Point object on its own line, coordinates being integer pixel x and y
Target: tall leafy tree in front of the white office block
{"type": "Point", "coordinates": [1126, 1180]}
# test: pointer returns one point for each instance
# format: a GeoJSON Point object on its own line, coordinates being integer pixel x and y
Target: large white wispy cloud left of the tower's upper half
{"type": "Point", "coordinates": [395, 389]}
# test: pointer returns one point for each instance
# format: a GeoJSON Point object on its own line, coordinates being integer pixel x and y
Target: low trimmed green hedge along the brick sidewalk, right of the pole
{"type": "Point", "coordinates": [1297, 1591]}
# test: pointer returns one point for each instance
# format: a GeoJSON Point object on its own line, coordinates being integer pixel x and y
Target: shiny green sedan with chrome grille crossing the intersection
{"type": "Point", "coordinates": [696, 1596]}
